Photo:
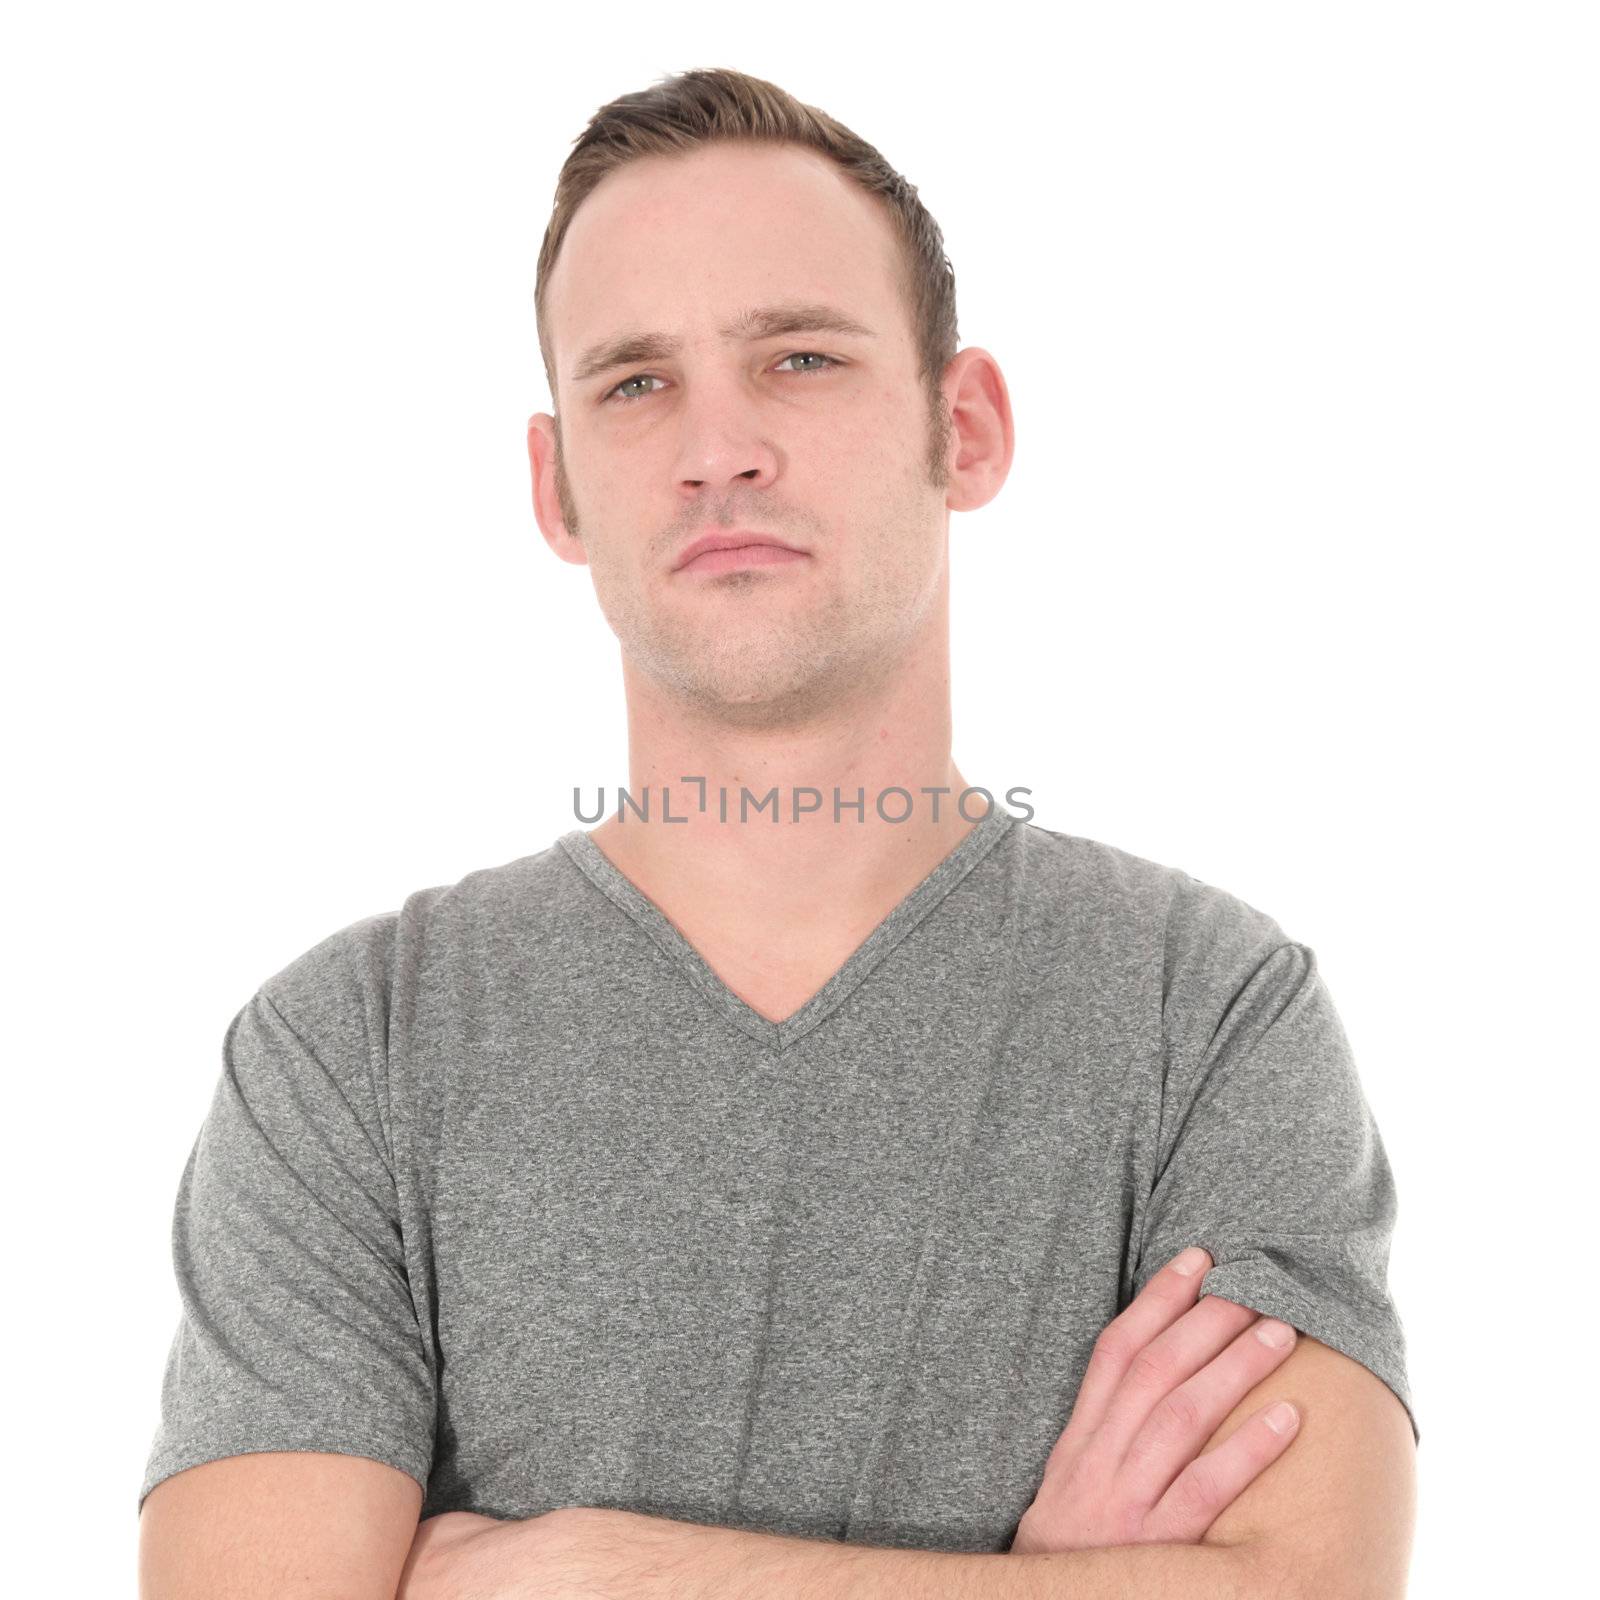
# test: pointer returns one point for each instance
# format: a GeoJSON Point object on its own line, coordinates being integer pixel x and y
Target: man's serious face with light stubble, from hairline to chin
{"type": "Point", "coordinates": [825, 441]}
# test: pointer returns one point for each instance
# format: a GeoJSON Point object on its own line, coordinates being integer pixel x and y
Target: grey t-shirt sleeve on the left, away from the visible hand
{"type": "Point", "coordinates": [298, 1327]}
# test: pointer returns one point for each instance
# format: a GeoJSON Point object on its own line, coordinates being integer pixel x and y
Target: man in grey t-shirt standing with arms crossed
{"type": "Point", "coordinates": [762, 1170]}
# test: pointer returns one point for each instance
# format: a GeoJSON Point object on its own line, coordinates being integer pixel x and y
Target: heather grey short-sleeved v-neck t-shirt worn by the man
{"type": "Point", "coordinates": [510, 1191]}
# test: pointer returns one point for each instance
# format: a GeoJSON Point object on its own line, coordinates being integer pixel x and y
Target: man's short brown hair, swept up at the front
{"type": "Point", "coordinates": [721, 105]}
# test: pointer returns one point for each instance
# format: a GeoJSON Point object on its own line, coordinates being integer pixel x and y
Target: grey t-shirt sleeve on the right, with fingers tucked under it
{"type": "Point", "coordinates": [1270, 1156]}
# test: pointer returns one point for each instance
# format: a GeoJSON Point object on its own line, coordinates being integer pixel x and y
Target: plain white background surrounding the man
{"type": "Point", "coordinates": [1297, 306]}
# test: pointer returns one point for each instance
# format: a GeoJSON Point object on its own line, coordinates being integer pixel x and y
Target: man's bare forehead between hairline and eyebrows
{"type": "Point", "coordinates": [678, 244]}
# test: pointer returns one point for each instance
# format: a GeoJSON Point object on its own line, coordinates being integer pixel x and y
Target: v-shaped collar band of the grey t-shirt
{"type": "Point", "coordinates": [601, 871]}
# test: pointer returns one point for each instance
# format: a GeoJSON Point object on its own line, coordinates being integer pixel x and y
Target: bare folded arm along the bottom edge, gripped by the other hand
{"type": "Point", "coordinates": [1329, 1521]}
